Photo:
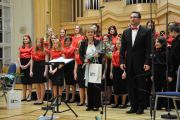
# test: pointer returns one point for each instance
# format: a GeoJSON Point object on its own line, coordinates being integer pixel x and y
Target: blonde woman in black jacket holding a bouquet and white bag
{"type": "Point", "coordinates": [87, 47]}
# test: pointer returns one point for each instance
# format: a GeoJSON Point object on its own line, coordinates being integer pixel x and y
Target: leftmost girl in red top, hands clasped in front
{"type": "Point", "coordinates": [24, 60]}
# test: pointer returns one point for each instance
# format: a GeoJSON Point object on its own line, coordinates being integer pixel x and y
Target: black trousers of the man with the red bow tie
{"type": "Point", "coordinates": [136, 85]}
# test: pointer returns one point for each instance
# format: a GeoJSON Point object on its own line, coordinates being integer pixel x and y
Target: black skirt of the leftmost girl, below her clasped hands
{"type": "Point", "coordinates": [25, 78]}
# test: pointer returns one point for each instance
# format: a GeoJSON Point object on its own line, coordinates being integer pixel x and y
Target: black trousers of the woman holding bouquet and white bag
{"type": "Point", "coordinates": [94, 95]}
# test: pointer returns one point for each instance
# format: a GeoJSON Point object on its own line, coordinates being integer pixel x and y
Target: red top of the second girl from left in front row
{"type": "Point", "coordinates": [38, 55]}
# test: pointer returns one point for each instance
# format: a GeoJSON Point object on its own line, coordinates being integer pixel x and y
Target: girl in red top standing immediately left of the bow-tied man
{"type": "Point", "coordinates": [118, 76]}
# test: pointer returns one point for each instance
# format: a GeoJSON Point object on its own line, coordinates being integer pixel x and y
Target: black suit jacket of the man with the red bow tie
{"type": "Point", "coordinates": [135, 57]}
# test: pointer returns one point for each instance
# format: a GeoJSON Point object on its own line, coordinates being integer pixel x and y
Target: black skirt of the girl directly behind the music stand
{"type": "Point", "coordinates": [58, 77]}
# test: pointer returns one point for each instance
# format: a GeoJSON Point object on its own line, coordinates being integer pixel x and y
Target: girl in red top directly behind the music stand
{"type": "Point", "coordinates": [56, 71]}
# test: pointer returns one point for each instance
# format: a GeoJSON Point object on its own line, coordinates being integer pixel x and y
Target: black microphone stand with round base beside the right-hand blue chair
{"type": "Point", "coordinates": [168, 115]}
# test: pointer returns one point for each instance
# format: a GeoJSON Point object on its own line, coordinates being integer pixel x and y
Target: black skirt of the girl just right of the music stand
{"type": "Point", "coordinates": [69, 73]}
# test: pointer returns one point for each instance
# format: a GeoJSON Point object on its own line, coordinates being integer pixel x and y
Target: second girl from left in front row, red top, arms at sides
{"type": "Point", "coordinates": [38, 69]}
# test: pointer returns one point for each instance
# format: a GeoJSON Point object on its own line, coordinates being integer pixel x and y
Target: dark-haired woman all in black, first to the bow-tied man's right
{"type": "Point", "coordinates": [160, 68]}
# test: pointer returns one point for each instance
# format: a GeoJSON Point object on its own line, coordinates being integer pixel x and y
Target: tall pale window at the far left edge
{"type": "Point", "coordinates": [5, 32]}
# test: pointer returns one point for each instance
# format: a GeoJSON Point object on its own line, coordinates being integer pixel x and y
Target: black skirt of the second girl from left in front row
{"type": "Point", "coordinates": [38, 72]}
